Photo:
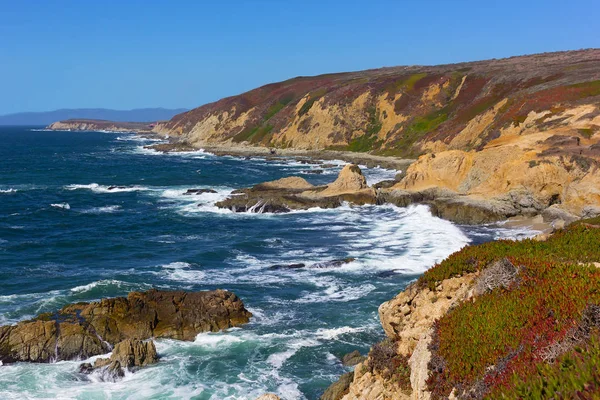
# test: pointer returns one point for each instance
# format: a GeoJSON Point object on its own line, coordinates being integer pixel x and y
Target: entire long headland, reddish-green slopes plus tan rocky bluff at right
{"type": "Point", "coordinates": [524, 127]}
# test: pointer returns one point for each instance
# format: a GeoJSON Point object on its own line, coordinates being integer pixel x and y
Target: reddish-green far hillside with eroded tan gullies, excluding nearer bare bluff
{"type": "Point", "coordinates": [403, 110]}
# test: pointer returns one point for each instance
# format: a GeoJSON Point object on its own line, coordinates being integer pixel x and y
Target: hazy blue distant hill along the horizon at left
{"type": "Point", "coordinates": [48, 117]}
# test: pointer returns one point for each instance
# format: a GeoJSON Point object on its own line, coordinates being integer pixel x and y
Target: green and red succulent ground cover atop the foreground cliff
{"type": "Point", "coordinates": [491, 344]}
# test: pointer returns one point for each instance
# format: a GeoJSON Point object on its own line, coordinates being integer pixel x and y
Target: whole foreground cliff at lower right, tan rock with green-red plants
{"type": "Point", "coordinates": [502, 320]}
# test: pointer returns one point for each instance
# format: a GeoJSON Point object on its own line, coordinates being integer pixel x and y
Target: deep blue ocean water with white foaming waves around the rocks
{"type": "Point", "coordinates": [66, 237]}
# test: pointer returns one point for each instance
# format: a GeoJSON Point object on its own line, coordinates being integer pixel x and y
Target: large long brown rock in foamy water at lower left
{"type": "Point", "coordinates": [83, 330]}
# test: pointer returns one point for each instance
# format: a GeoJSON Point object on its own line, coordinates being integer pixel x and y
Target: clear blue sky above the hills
{"type": "Point", "coordinates": [131, 54]}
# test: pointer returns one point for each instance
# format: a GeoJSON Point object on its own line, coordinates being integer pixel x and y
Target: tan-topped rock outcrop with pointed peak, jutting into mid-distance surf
{"type": "Point", "coordinates": [295, 193]}
